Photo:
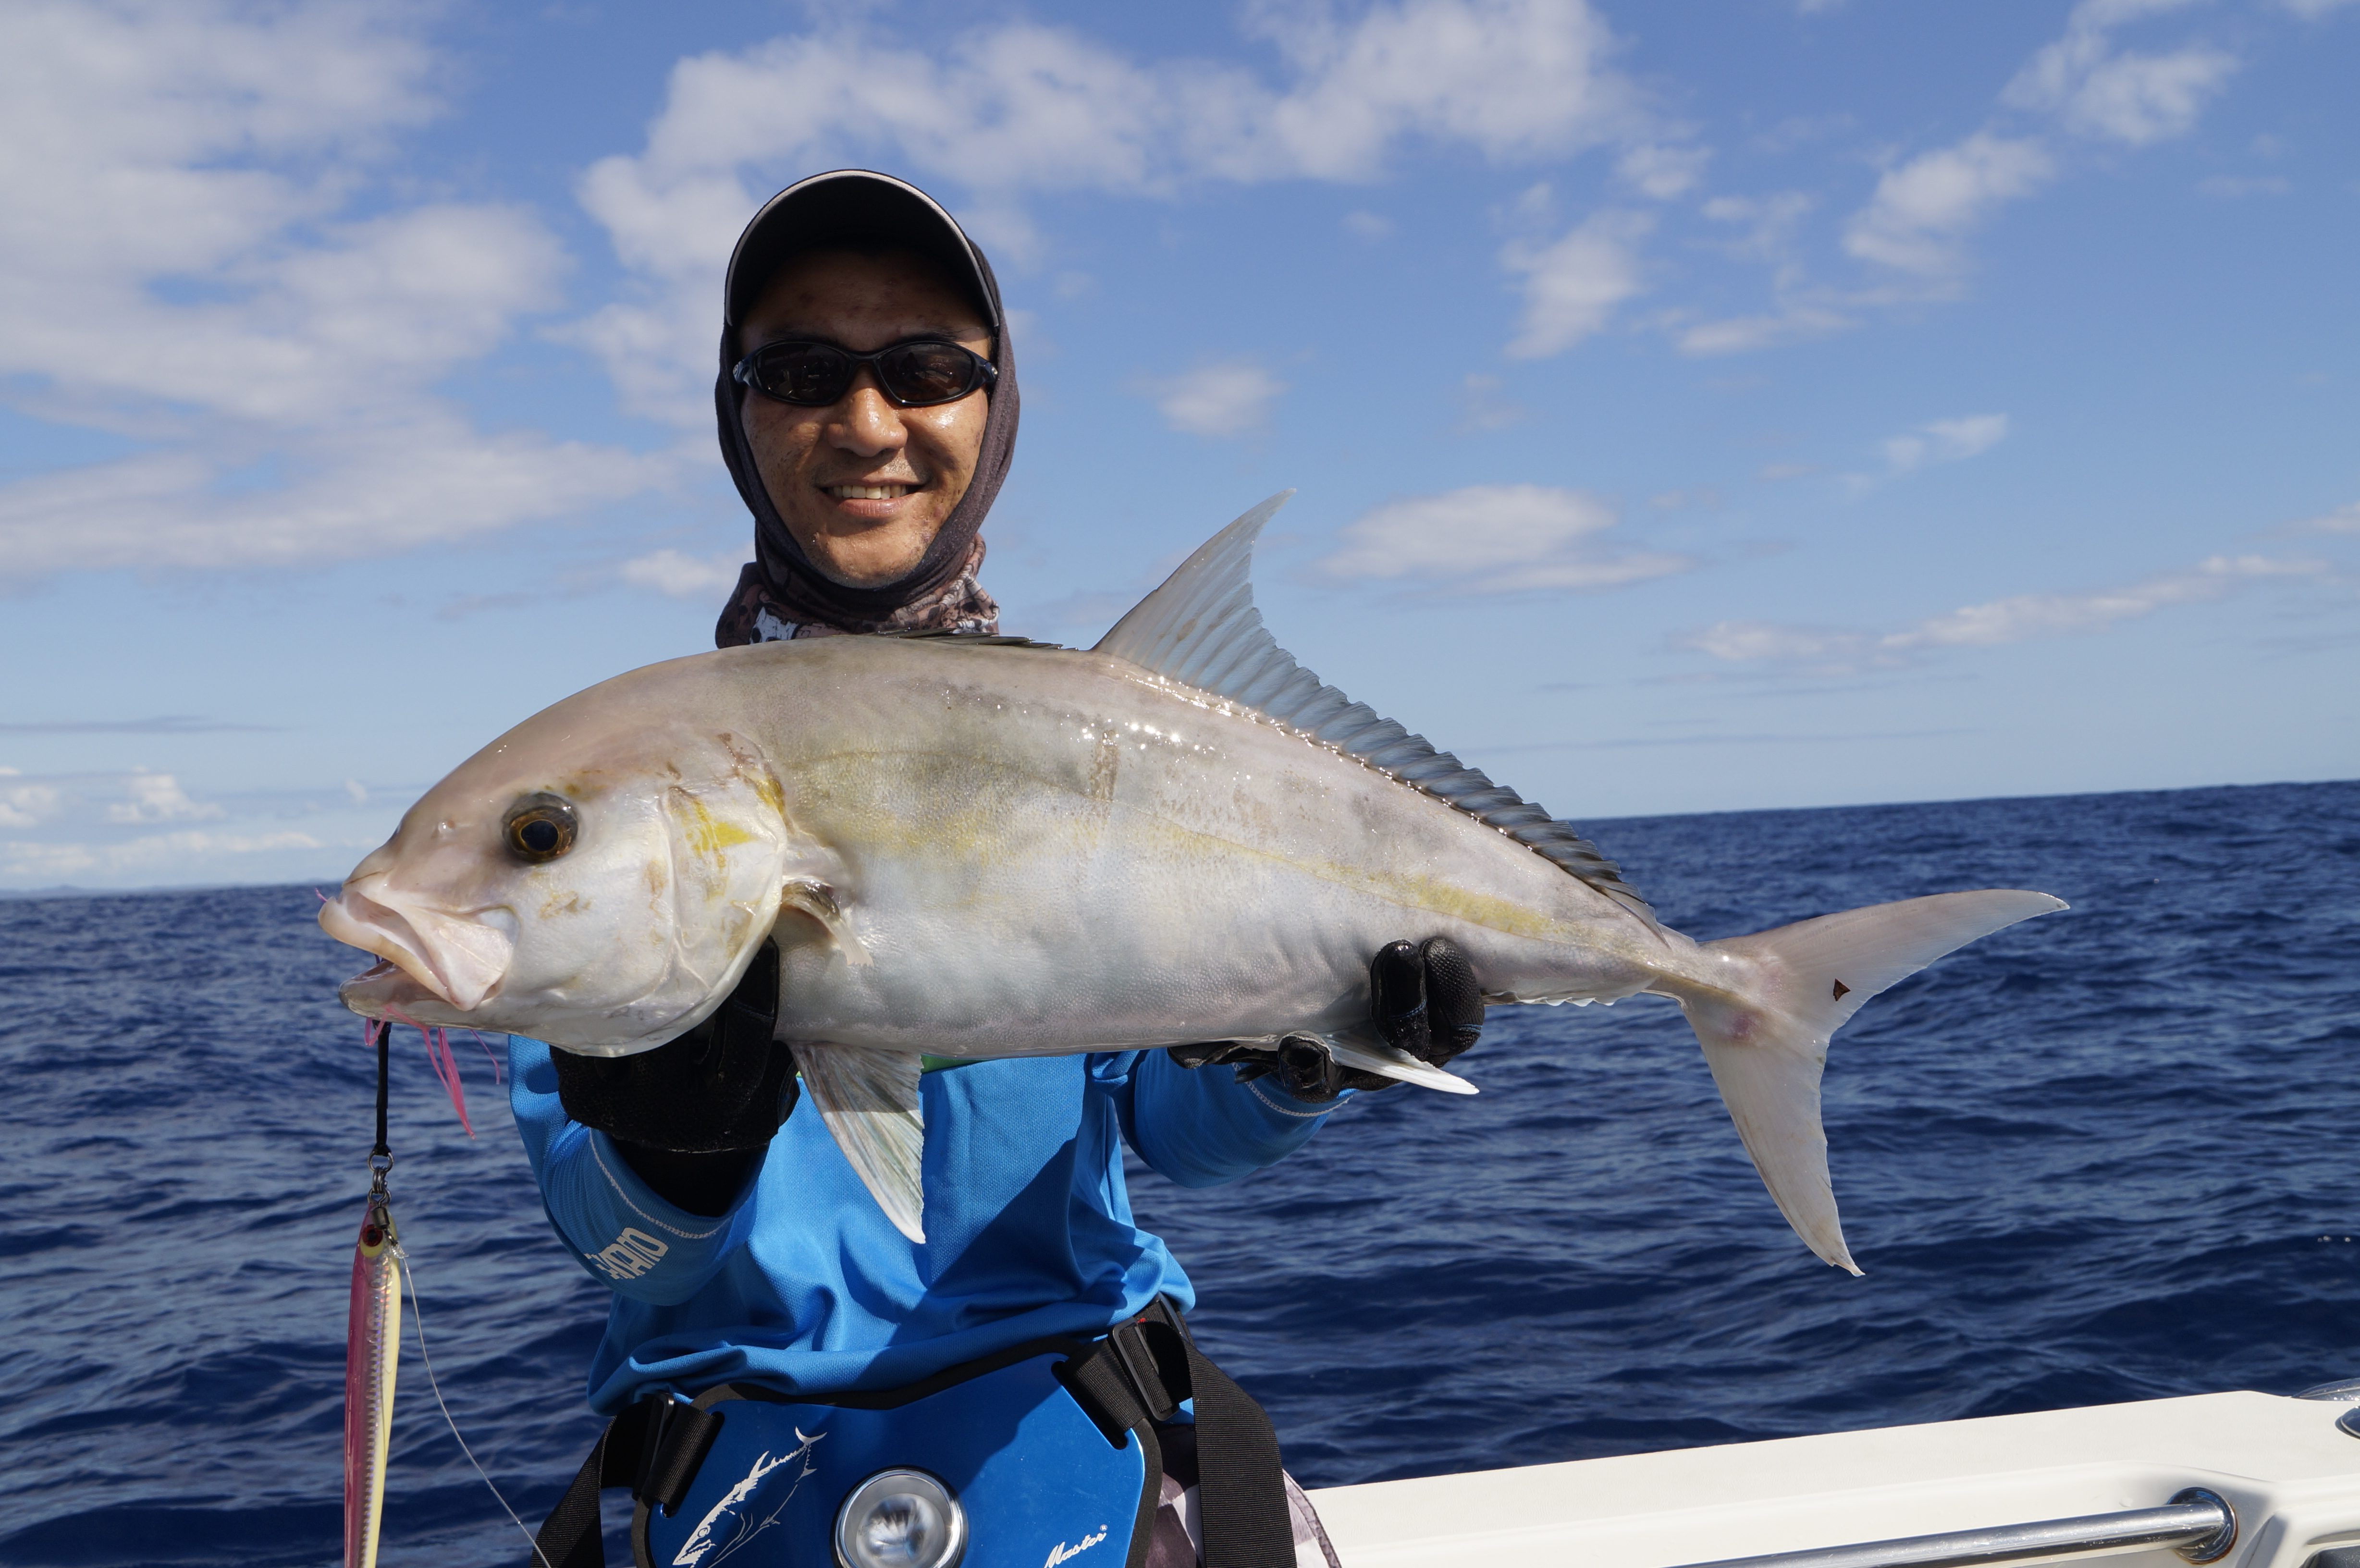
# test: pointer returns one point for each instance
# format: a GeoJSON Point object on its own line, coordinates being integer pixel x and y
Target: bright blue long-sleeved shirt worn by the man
{"type": "Point", "coordinates": [806, 1286]}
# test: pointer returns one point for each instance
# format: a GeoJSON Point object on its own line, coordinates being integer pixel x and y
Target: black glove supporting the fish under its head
{"type": "Point", "coordinates": [695, 1116]}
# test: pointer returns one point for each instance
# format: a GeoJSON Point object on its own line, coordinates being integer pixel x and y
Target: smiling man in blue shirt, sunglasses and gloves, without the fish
{"type": "Point", "coordinates": [867, 410]}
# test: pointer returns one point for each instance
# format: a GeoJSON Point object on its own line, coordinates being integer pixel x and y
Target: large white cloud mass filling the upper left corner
{"type": "Point", "coordinates": [181, 261]}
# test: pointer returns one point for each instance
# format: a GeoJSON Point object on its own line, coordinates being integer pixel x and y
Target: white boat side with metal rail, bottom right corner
{"type": "Point", "coordinates": [2253, 1482]}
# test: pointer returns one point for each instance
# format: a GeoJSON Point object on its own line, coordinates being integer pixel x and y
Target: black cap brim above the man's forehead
{"type": "Point", "coordinates": [858, 207]}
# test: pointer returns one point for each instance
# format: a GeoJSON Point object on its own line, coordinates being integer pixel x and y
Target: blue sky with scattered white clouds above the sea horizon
{"type": "Point", "coordinates": [1693, 407]}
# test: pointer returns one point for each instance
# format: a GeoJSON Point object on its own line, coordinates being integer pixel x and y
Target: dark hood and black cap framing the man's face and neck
{"type": "Point", "coordinates": [780, 594]}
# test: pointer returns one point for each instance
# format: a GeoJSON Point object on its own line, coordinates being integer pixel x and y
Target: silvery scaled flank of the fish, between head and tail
{"type": "Point", "coordinates": [1054, 809]}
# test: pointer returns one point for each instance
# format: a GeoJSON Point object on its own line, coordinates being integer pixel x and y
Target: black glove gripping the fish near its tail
{"type": "Point", "coordinates": [1422, 1000]}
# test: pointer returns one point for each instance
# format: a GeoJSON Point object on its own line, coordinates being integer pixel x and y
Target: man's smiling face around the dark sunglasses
{"type": "Point", "coordinates": [865, 485]}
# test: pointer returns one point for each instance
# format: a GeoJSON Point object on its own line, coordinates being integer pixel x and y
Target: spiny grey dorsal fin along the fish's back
{"type": "Point", "coordinates": [1202, 629]}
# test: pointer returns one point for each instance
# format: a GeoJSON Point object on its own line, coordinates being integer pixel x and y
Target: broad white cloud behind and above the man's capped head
{"type": "Point", "coordinates": [1018, 110]}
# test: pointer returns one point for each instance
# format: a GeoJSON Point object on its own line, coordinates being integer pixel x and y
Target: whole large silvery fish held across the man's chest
{"type": "Point", "coordinates": [985, 847]}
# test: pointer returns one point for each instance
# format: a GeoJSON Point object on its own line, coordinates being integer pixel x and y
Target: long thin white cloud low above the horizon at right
{"type": "Point", "coordinates": [2014, 620]}
